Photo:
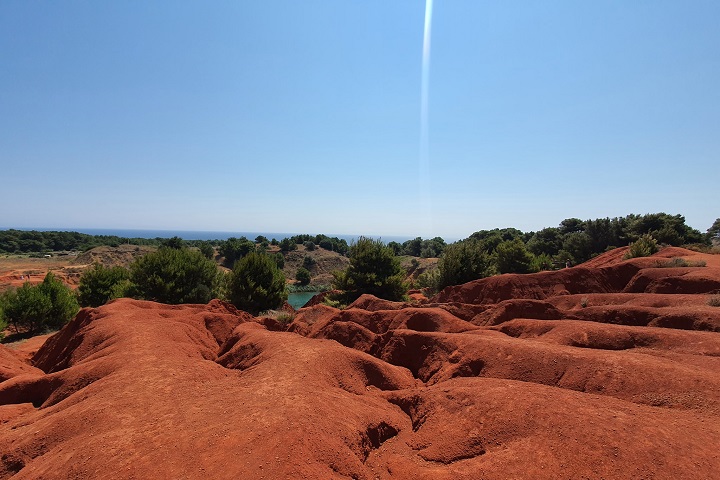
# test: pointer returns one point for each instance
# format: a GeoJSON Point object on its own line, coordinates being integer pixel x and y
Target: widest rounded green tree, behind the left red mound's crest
{"type": "Point", "coordinates": [174, 276]}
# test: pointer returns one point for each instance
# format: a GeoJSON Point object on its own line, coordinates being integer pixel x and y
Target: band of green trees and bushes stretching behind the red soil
{"type": "Point", "coordinates": [176, 273]}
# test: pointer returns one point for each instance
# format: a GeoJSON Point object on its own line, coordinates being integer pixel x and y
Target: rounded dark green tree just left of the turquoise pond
{"type": "Point", "coordinates": [256, 284]}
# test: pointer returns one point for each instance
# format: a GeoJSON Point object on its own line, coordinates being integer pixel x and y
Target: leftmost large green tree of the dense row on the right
{"type": "Point", "coordinates": [463, 262]}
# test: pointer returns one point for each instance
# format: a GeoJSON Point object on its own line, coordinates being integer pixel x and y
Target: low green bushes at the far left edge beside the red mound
{"type": "Point", "coordinates": [34, 308]}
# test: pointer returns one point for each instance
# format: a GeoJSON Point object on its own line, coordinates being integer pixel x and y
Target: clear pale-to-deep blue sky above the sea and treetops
{"type": "Point", "coordinates": [304, 116]}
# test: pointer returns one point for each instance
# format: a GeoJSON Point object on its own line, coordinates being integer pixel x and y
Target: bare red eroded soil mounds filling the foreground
{"type": "Point", "coordinates": [605, 370]}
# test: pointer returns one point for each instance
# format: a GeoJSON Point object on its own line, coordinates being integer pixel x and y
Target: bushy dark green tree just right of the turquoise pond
{"type": "Point", "coordinates": [373, 269]}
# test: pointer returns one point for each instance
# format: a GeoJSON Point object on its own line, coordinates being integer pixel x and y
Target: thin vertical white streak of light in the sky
{"type": "Point", "coordinates": [424, 127]}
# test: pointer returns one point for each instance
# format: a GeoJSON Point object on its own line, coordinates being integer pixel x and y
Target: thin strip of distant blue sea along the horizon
{"type": "Point", "coordinates": [205, 235]}
